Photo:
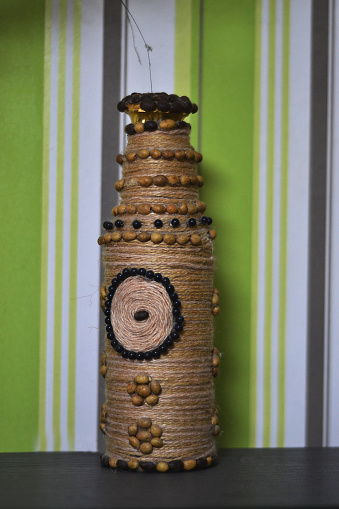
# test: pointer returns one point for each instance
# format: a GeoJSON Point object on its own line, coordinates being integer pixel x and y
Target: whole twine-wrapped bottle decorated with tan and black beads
{"type": "Point", "coordinates": [158, 298]}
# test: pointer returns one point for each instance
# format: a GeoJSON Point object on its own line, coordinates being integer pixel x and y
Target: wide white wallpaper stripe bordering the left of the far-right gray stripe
{"type": "Point", "coordinates": [297, 227]}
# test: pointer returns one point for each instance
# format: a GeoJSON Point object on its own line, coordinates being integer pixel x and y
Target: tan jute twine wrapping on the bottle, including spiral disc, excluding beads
{"type": "Point", "coordinates": [186, 403]}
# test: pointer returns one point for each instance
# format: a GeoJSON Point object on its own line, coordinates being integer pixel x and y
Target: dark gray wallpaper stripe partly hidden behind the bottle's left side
{"type": "Point", "coordinates": [110, 141]}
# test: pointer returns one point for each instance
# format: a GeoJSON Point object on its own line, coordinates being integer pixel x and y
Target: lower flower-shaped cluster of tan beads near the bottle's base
{"type": "Point", "coordinates": [143, 435]}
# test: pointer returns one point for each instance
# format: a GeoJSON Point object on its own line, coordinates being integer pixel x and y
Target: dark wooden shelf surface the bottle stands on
{"type": "Point", "coordinates": [299, 477]}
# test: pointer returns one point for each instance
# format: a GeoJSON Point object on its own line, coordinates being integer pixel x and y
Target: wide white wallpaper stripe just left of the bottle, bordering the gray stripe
{"type": "Point", "coordinates": [89, 255]}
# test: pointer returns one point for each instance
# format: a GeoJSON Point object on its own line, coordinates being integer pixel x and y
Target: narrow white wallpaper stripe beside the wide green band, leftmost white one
{"type": "Point", "coordinates": [51, 226]}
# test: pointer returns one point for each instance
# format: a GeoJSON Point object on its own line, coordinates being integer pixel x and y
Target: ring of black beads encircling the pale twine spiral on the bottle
{"type": "Point", "coordinates": [177, 316]}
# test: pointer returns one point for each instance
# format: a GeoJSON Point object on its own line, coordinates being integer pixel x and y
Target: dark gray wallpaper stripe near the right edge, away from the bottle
{"type": "Point", "coordinates": [317, 224]}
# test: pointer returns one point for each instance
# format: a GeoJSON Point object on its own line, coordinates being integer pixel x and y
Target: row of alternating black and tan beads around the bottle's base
{"type": "Point", "coordinates": [160, 466]}
